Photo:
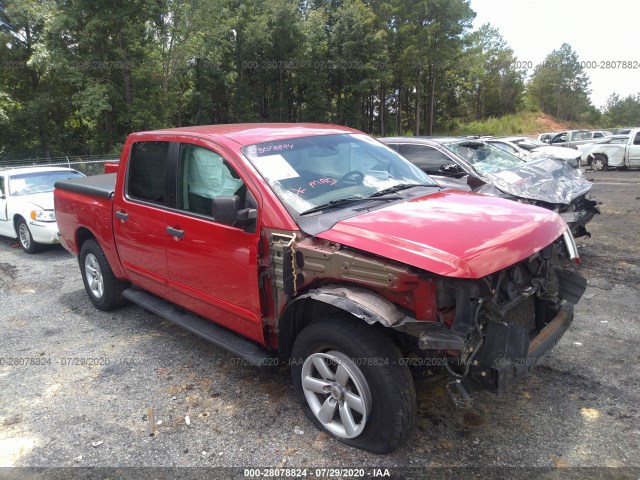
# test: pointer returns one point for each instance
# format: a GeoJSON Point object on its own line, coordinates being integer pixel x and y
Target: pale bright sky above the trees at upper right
{"type": "Point", "coordinates": [598, 31]}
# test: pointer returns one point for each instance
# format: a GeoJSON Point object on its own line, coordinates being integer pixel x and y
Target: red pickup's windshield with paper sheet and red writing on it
{"type": "Point", "coordinates": [309, 172]}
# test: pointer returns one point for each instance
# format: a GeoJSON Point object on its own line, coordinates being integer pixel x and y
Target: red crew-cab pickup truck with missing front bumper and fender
{"type": "Point", "coordinates": [319, 246]}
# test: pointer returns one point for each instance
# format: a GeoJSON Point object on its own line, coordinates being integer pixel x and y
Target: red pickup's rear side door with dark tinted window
{"type": "Point", "coordinates": [139, 223]}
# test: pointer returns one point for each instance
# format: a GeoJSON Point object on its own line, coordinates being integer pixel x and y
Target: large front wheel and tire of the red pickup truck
{"type": "Point", "coordinates": [349, 380]}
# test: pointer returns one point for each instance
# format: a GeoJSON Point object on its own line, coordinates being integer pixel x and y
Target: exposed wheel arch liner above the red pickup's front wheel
{"type": "Point", "coordinates": [360, 304]}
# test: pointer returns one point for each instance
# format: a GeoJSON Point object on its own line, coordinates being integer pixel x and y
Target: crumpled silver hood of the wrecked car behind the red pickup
{"type": "Point", "coordinates": [544, 179]}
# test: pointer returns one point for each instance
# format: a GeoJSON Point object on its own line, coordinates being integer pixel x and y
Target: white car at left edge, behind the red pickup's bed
{"type": "Point", "coordinates": [26, 204]}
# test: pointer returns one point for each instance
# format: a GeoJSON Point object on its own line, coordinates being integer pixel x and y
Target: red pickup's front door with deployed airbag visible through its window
{"type": "Point", "coordinates": [213, 267]}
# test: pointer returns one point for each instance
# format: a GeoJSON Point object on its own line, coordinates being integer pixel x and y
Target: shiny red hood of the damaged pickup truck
{"type": "Point", "coordinates": [455, 234]}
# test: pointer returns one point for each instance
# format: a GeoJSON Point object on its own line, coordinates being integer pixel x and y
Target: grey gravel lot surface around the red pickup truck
{"type": "Point", "coordinates": [77, 383]}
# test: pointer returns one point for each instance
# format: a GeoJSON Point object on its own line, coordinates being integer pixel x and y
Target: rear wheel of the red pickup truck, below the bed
{"type": "Point", "coordinates": [103, 288]}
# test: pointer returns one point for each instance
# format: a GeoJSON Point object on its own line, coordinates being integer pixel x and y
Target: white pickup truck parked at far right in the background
{"type": "Point", "coordinates": [620, 151]}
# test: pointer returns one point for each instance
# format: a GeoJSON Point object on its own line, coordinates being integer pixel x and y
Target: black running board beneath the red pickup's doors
{"type": "Point", "coordinates": [220, 336]}
